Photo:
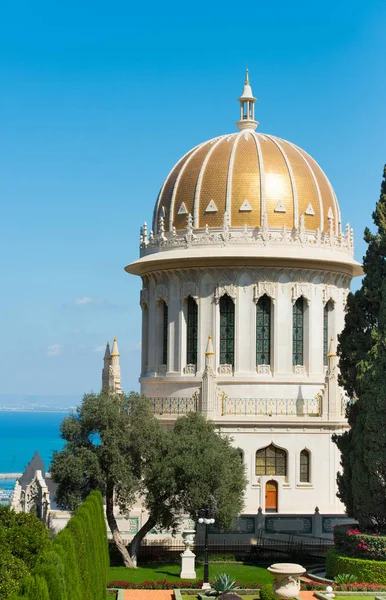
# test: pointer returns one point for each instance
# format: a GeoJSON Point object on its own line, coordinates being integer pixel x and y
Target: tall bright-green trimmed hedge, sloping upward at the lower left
{"type": "Point", "coordinates": [75, 565]}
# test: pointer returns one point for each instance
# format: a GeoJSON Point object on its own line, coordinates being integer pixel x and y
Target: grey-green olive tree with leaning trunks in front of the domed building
{"type": "Point", "coordinates": [114, 443]}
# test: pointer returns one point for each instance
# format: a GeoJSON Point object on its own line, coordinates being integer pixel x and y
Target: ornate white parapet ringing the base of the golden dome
{"type": "Point", "coordinates": [258, 236]}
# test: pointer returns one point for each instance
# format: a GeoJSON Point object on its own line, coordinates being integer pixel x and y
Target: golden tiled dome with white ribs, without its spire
{"type": "Point", "coordinates": [248, 175]}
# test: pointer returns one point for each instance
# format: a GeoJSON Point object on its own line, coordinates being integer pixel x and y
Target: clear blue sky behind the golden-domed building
{"type": "Point", "coordinates": [99, 100]}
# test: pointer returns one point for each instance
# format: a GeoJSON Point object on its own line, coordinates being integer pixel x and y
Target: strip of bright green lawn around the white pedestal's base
{"type": "Point", "coordinates": [243, 573]}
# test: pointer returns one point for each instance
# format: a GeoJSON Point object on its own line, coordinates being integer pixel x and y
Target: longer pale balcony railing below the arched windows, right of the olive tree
{"type": "Point", "coordinates": [267, 407]}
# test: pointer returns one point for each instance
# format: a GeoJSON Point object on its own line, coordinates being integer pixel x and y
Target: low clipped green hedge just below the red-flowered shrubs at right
{"type": "Point", "coordinates": [370, 571]}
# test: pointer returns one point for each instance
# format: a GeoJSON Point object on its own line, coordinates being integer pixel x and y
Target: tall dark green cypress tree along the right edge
{"type": "Point", "coordinates": [362, 351]}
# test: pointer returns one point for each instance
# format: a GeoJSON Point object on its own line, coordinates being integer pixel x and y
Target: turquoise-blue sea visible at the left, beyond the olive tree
{"type": "Point", "coordinates": [21, 433]}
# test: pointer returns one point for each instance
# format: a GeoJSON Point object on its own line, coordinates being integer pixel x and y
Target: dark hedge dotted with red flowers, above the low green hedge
{"type": "Point", "coordinates": [349, 541]}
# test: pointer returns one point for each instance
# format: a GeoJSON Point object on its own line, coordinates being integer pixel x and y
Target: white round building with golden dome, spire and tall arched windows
{"type": "Point", "coordinates": [245, 277]}
